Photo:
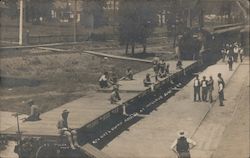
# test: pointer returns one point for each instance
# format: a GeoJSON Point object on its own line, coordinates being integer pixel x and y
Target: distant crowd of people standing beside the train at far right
{"type": "Point", "coordinates": [232, 52]}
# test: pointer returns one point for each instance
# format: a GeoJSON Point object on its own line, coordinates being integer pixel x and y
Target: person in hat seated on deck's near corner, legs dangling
{"type": "Point", "coordinates": [63, 128]}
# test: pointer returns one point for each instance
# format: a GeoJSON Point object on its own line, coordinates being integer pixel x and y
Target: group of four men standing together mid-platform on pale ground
{"type": "Point", "coordinates": [206, 87]}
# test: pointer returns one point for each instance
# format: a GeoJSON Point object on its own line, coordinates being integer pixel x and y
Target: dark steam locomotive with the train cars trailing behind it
{"type": "Point", "coordinates": [205, 43]}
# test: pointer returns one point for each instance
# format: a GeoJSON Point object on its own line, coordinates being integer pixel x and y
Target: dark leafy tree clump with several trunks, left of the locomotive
{"type": "Point", "coordinates": [137, 20]}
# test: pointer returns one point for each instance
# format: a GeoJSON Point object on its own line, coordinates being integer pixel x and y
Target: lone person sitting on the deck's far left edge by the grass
{"type": "Point", "coordinates": [34, 112]}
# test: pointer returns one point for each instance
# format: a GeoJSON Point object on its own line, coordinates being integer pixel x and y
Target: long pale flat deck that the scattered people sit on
{"type": "Point", "coordinates": [86, 109]}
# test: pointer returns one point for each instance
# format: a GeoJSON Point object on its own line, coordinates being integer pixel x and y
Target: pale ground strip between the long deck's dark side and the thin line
{"type": "Point", "coordinates": [153, 136]}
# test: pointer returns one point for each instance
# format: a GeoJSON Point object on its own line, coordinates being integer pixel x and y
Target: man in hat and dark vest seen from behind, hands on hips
{"type": "Point", "coordinates": [182, 145]}
